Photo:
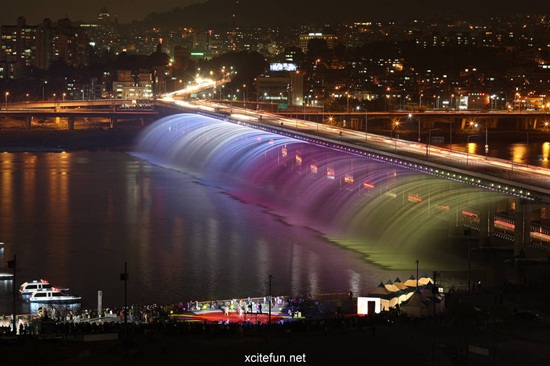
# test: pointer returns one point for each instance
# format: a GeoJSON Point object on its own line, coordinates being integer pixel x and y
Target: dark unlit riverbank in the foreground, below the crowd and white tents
{"type": "Point", "coordinates": [477, 329]}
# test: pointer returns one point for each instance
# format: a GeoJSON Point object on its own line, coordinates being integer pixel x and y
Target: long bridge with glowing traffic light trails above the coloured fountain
{"type": "Point", "coordinates": [525, 186]}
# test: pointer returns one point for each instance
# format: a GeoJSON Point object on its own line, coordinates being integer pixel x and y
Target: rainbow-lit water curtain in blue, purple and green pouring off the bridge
{"type": "Point", "coordinates": [389, 214]}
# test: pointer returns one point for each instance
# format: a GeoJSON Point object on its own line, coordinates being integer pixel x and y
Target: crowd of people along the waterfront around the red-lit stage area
{"type": "Point", "coordinates": [154, 319]}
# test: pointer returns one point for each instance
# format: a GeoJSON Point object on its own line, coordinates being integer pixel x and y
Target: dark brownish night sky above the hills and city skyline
{"type": "Point", "coordinates": [128, 10]}
